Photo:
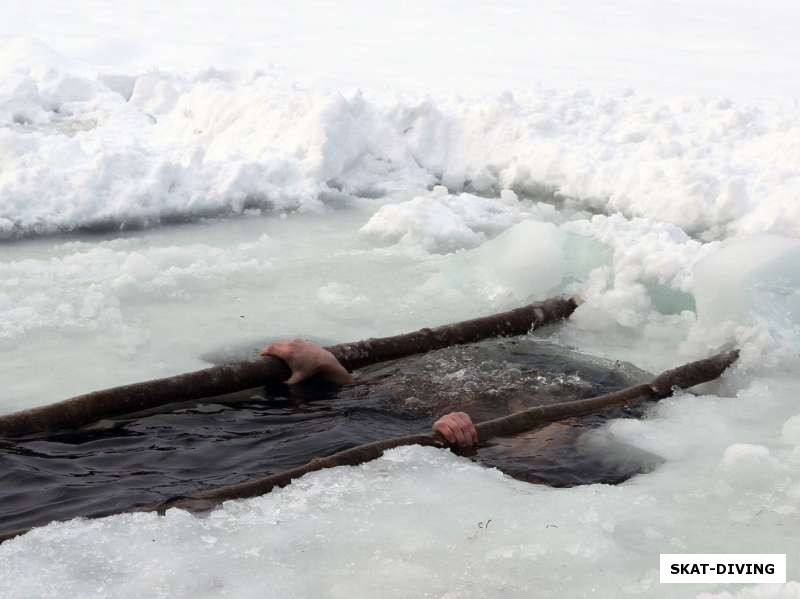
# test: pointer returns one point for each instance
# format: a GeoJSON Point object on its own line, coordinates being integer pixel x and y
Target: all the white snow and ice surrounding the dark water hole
{"type": "Point", "coordinates": [261, 171]}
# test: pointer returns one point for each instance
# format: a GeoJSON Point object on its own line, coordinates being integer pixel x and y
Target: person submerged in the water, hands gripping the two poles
{"type": "Point", "coordinates": [307, 360]}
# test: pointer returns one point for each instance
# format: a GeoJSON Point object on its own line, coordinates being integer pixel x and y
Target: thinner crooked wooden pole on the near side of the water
{"type": "Point", "coordinates": [682, 377]}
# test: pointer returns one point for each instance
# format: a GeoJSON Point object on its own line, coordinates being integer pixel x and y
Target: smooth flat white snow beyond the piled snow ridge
{"type": "Point", "coordinates": [707, 47]}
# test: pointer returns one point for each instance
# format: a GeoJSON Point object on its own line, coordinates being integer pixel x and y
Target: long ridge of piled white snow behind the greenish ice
{"type": "Point", "coordinates": [80, 149]}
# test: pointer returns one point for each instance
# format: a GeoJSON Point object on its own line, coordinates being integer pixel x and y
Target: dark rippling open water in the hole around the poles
{"type": "Point", "coordinates": [117, 465]}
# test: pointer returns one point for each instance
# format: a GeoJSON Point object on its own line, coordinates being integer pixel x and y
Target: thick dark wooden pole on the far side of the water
{"type": "Point", "coordinates": [228, 378]}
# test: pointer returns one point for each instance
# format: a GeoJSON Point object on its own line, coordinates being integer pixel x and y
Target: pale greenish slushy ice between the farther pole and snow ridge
{"type": "Point", "coordinates": [148, 305]}
